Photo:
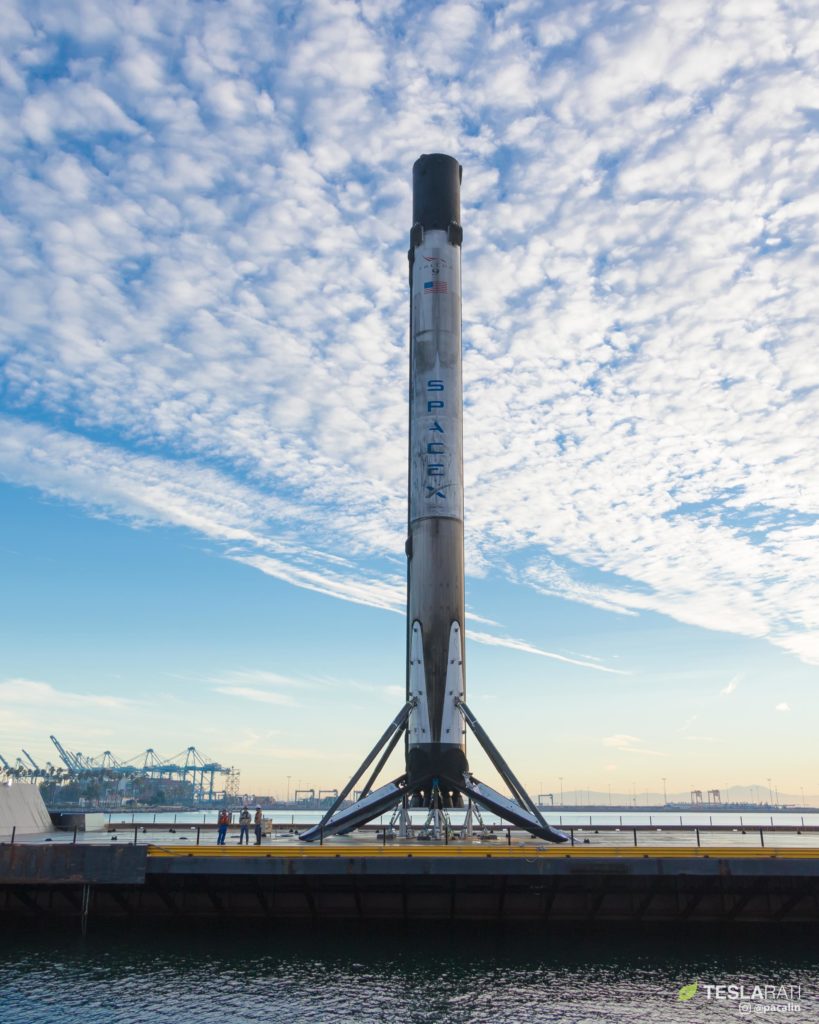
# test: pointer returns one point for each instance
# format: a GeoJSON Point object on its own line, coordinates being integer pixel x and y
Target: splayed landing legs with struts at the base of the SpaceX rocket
{"type": "Point", "coordinates": [520, 810]}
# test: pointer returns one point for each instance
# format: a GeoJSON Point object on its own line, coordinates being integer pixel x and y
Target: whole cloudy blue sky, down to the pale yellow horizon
{"type": "Point", "coordinates": [203, 373]}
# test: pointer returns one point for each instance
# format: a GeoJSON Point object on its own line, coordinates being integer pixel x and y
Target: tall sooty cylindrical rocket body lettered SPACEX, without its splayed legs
{"type": "Point", "coordinates": [437, 739]}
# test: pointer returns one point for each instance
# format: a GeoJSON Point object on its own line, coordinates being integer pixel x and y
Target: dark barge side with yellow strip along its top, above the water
{"type": "Point", "coordinates": [405, 882]}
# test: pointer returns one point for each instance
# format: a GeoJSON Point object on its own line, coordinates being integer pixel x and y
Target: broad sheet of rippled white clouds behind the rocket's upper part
{"type": "Point", "coordinates": [204, 316]}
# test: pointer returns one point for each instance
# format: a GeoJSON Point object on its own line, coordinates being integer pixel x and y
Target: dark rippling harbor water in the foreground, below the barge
{"type": "Point", "coordinates": [438, 975]}
